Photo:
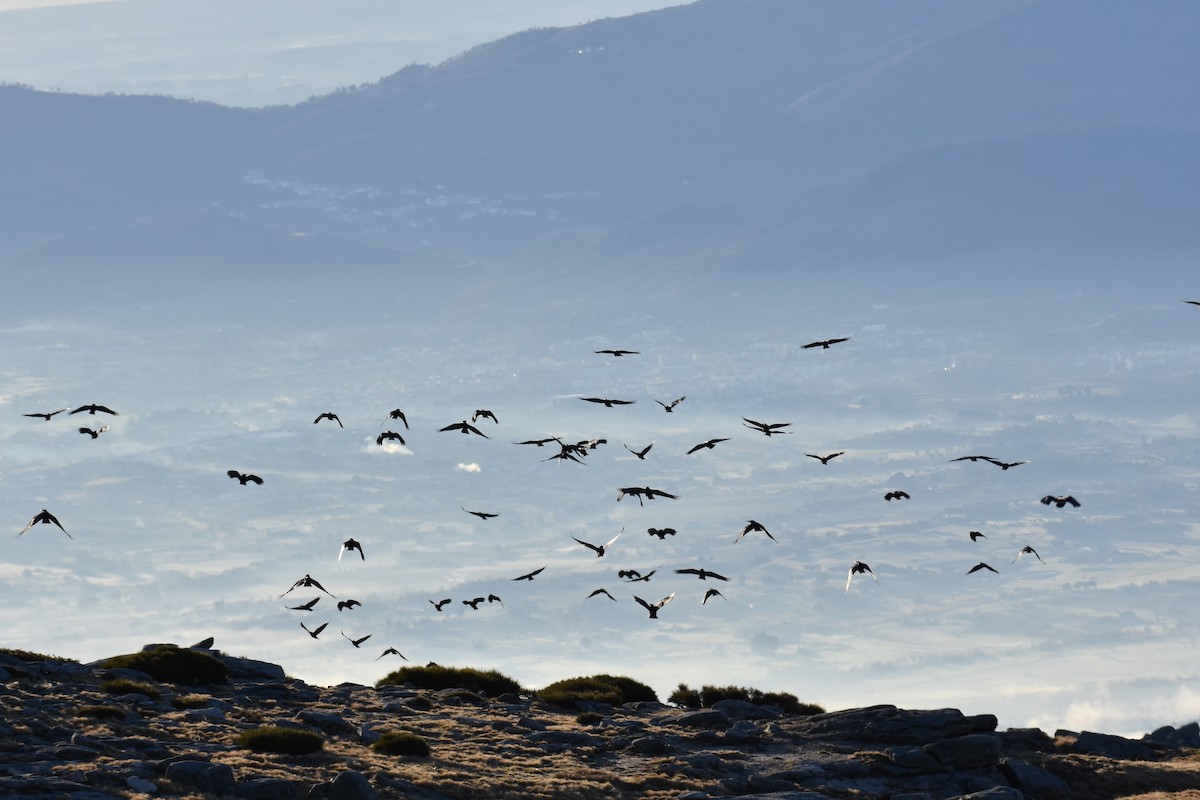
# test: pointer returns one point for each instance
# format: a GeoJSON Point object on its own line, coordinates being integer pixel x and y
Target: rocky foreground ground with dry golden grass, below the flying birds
{"type": "Point", "coordinates": [63, 736]}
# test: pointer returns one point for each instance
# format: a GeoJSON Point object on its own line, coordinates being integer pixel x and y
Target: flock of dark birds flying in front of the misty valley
{"type": "Point", "coordinates": [565, 452]}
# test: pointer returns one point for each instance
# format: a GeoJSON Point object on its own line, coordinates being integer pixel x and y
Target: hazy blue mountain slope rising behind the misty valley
{"type": "Point", "coordinates": [725, 134]}
